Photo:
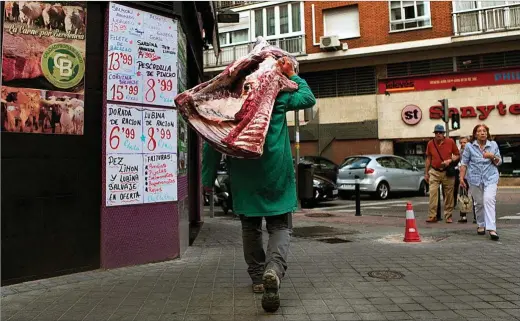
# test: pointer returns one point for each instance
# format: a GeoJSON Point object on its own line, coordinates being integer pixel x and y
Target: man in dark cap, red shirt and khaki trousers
{"type": "Point", "coordinates": [442, 154]}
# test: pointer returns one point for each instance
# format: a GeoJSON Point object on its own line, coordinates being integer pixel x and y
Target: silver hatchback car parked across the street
{"type": "Point", "coordinates": [379, 174]}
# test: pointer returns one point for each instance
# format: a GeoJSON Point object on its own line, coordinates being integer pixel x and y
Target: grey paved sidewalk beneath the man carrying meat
{"type": "Point", "coordinates": [449, 276]}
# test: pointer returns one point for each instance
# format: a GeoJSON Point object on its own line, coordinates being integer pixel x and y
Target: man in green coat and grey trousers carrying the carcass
{"type": "Point", "coordinates": [266, 187]}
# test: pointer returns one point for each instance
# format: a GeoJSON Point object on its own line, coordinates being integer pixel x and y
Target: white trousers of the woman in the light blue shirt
{"type": "Point", "coordinates": [484, 198]}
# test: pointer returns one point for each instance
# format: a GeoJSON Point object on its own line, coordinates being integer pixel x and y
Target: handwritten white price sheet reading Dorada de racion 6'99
{"type": "Point", "coordinates": [124, 129]}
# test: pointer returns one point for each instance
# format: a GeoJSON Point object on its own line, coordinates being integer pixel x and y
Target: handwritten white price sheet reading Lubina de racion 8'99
{"type": "Point", "coordinates": [160, 126]}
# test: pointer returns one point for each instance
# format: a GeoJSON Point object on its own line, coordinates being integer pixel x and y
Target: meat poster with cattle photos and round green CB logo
{"type": "Point", "coordinates": [43, 67]}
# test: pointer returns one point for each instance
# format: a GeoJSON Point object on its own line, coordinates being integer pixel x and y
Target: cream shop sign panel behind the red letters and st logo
{"type": "Point", "coordinates": [390, 124]}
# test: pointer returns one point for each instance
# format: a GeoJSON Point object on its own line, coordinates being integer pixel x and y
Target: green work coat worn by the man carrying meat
{"type": "Point", "coordinates": [265, 186]}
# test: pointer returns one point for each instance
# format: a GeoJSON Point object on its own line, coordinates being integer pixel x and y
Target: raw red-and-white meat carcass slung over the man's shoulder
{"type": "Point", "coordinates": [232, 111]}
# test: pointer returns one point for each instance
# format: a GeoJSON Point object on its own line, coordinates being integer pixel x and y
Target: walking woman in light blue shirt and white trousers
{"type": "Point", "coordinates": [480, 161]}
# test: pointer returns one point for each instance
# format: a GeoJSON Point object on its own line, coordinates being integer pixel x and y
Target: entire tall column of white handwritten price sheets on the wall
{"type": "Point", "coordinates": [141, 138]}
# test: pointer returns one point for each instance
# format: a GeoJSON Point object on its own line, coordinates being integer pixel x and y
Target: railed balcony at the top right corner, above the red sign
{"type": "Point", "coordinates": [483, 20]}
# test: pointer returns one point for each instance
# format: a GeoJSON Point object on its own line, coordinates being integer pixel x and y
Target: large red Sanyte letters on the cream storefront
{"type": "Point", "coordinates": [482, 112]}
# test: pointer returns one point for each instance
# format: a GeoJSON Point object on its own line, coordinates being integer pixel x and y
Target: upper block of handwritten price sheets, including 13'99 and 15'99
{"type": "Point", "coordinates": [142, 57]}
